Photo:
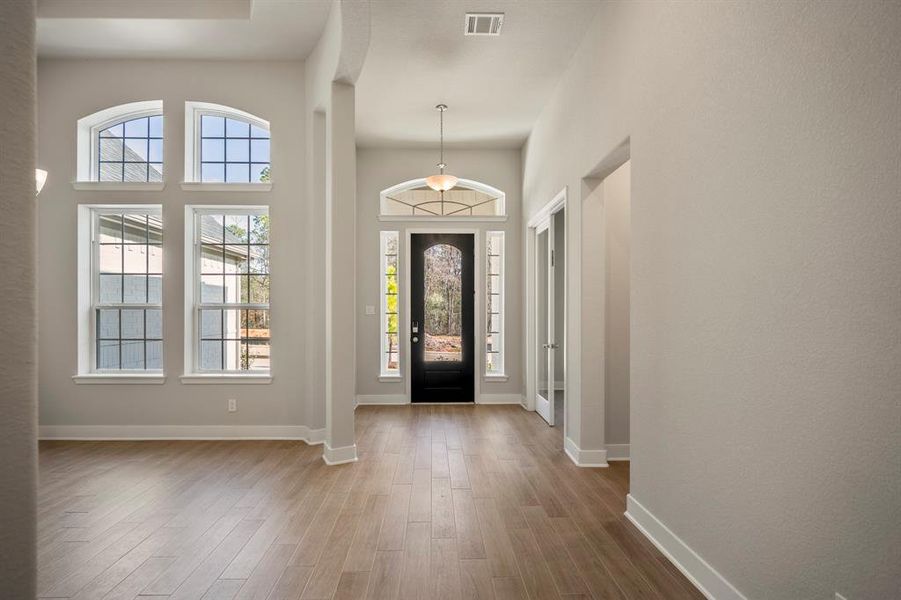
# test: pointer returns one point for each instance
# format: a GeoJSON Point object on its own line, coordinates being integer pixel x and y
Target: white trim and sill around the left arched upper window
{"type": "Point", "coordinates": [86, 145]}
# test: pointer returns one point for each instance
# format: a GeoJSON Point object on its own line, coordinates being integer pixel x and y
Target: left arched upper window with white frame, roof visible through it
{"type": "Point", "coordinates": [122, 144]}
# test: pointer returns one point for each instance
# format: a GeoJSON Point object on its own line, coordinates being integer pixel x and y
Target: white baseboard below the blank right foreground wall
{"type": "Point", "coordinates": [704, 577]}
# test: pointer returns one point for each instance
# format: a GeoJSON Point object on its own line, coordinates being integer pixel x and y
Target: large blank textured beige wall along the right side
{"type": "Point", "coordinates": [766, 294]}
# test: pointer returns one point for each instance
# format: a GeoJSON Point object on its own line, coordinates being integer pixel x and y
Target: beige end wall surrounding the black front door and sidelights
{"type": "Point", "coordinates": [379, 169]}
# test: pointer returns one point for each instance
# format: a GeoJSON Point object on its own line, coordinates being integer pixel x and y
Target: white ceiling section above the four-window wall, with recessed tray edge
{"type": "Point", "coordinates": [200, 29]}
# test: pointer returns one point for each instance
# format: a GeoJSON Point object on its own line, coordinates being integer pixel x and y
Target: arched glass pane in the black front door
{"type": "Point", "coordinates": [443, 304]}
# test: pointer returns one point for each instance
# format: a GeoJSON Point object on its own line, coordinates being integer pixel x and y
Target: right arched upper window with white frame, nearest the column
{"type": "Point", "coordinates": [225, 145]}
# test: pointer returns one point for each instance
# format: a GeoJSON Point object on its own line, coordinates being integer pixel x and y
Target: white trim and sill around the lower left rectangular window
{"type": "Point", "coordinates": [88, 287]}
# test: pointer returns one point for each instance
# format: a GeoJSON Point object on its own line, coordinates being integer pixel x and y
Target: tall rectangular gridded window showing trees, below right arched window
{"type": "Point", "coordinates": [231, 290]}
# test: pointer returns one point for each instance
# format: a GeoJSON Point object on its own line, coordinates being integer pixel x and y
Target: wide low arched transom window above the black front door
{"type": "Point", "coordinates": [414, 200]}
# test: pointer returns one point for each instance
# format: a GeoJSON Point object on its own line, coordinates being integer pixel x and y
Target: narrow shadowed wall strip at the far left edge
{"type": "Point", "coordinates": [18, 319]}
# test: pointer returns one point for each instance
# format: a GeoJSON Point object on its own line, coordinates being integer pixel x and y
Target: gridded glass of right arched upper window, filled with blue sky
{"type": "Point", "coordinates": [233, 150]}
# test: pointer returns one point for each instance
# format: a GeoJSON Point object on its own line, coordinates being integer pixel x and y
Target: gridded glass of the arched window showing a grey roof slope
{"type": "Point", "coordinates": [131, 150]}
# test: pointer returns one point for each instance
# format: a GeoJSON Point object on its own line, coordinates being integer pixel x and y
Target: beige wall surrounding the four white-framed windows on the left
{"type": "Point", "coordinates": [69, 90]}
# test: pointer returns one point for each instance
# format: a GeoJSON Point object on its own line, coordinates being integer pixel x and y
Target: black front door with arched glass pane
{"type": "Point", "coordinates": [441, 317]}
